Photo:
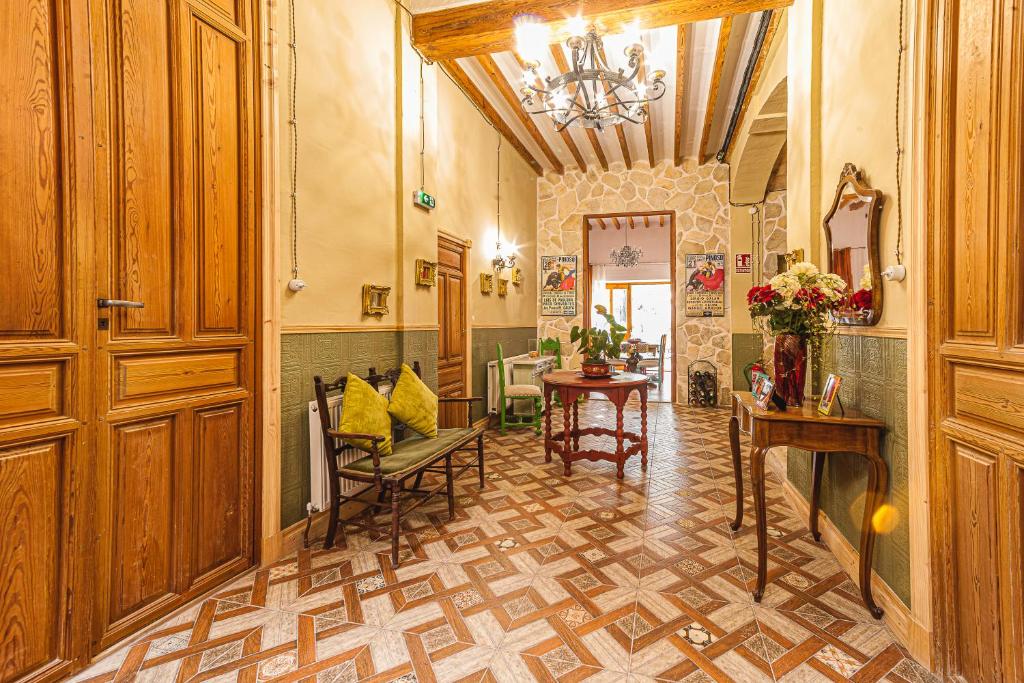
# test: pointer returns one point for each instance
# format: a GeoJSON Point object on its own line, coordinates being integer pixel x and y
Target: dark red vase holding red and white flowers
{"type": "Point", "coordinates": [797, 308]}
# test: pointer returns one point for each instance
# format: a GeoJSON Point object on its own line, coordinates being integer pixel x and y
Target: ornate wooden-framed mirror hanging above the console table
{"type": "Point", "coordinates": [852, 238]}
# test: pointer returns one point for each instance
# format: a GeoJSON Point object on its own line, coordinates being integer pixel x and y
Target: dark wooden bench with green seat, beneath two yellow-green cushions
{"type": "Point", "coordinates": [412, 457]}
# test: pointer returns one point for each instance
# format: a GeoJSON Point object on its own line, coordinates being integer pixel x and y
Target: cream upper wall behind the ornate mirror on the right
{"type": "Point", "coordinates": [849, 103]}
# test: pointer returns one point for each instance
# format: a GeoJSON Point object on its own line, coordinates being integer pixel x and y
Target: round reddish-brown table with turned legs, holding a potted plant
{"type": "Point", "coordinates": [570, 386]}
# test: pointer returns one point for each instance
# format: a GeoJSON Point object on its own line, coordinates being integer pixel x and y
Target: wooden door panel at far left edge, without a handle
{"type": "Point", "coordinates": [46, 338]}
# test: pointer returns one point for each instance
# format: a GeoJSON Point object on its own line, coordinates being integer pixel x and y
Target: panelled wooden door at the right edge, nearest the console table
{"type": "Point", "coordinates": [977, 338]}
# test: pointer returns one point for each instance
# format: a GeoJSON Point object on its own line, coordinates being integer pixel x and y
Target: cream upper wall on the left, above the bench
{"type": "Point", "coordinates": [357, 221]}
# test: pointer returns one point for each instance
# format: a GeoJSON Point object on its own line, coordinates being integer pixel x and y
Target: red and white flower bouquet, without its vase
{"type": "Point", "coordinates": [800, 303]}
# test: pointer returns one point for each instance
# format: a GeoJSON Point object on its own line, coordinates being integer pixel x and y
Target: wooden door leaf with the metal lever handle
{"type": "Point", "coordinates": [177, 133]}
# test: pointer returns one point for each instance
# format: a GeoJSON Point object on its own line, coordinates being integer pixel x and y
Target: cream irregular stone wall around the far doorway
{"type": "Point", "coordinates": [699, 197]}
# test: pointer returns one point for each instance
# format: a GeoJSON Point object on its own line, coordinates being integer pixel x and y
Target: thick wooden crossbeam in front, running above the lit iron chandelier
{"type": "Point", "coordinates": [490, 27]}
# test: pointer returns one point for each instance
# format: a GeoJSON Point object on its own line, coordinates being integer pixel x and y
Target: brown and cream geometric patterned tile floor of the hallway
{"type": "Point", "coordinates": [548, 579]}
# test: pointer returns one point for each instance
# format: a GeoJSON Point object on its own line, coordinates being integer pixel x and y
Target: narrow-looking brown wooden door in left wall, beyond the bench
{"type": "Point", "coordinates": [452, 321]}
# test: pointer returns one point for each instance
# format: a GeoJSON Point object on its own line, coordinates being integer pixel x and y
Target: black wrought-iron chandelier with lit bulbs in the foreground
{"type": "Point", "coordinates": [591, 94]}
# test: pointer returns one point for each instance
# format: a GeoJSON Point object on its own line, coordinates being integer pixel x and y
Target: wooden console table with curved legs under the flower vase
{"type": "Point", "coordinates": [806, 429]}
